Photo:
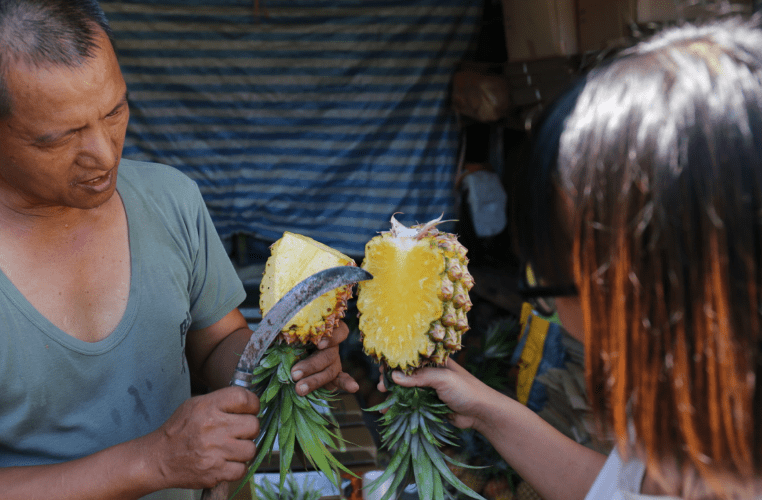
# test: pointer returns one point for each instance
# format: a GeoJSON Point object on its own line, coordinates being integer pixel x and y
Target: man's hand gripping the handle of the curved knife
{"type": "Point", "coordinates": [207, 440]}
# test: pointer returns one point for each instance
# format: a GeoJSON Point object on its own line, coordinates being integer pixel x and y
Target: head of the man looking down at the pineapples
{"type": "Point", "coordinates": [64, 106]}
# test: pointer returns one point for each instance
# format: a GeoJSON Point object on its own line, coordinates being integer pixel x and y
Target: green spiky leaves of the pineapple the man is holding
{"type": "Point", "coordinates": [293, 419]}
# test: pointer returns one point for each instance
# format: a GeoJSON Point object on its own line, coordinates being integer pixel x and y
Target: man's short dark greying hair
{"type": "Point", "coordinates": [42, 33]}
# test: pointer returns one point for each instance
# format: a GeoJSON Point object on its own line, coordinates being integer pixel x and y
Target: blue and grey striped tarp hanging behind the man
{"type": "Point", "coordinates": [321, 117]}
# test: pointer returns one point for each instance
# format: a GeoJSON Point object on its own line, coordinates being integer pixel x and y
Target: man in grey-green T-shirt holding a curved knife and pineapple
{"type": "Point", "coordinates": [114, 289]}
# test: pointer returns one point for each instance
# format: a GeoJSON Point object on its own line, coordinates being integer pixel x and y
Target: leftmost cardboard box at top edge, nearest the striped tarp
{"type": "Point", "coordinates": [536, 29]}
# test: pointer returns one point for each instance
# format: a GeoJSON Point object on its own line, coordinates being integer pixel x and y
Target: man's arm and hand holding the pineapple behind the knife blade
{"type": "Point", "coordinates": [213, 354]}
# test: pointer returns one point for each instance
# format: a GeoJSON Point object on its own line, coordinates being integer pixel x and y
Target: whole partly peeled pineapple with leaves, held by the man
{"type": "Point", "coordinates": [290, 417]}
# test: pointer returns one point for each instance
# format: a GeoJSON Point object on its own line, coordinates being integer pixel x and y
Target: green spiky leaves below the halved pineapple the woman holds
{"type": "Point", "coordinates": [414, 428]}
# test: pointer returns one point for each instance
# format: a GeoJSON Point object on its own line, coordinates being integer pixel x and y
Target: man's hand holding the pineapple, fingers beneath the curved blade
{"type": "Point", "coordinates": [323, 367]}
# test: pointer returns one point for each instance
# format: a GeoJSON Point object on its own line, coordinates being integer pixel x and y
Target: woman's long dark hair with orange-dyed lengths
{"type": "Point", "coordinates": [661, 160]}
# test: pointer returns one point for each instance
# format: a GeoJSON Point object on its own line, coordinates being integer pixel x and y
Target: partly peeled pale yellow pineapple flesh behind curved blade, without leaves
{"type": "Point", "coordinates": [293, 258]}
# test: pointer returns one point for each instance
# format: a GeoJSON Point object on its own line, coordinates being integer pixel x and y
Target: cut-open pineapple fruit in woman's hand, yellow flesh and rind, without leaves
{"type": "Point", "coordinates": [413, 313]}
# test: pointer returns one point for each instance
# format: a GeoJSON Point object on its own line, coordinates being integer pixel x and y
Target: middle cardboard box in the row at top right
{"type": "Point", "coordinates": [601, 23]}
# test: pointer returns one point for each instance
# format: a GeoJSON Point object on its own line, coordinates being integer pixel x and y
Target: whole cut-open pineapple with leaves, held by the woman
{"type": "Point", "coordinates": [412, 314]}
